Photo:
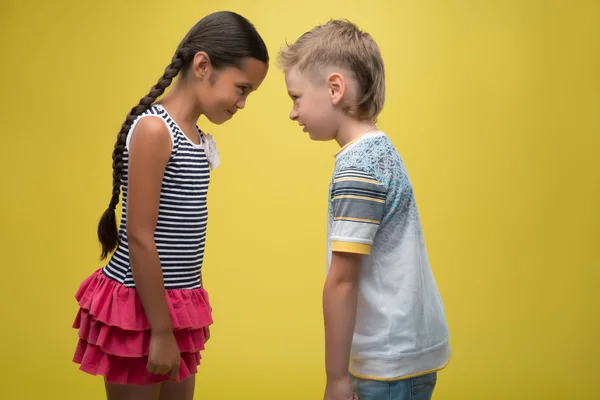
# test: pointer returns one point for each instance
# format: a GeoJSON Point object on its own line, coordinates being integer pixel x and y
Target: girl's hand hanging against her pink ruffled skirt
{"type": "Point", "coordinates": [165, 356]}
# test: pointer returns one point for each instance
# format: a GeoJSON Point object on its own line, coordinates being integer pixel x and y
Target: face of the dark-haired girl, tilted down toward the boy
{"type": "Point", "coordinates": [221, 93]}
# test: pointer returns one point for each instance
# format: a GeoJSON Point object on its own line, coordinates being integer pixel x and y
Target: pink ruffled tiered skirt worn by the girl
{"type": "Point", "coordinates": [114, 333]}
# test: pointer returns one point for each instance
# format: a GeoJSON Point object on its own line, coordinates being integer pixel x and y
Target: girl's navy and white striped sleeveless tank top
{"type": "Point", "coordinates": [180, 233]}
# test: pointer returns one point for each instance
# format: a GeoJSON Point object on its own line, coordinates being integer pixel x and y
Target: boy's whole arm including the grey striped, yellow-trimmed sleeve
{"type": "Point", "coordinates": [358, 201]}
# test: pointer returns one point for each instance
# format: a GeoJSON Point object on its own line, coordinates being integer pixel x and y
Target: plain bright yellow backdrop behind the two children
{"type": "Point", "coordinates": [494, 105]}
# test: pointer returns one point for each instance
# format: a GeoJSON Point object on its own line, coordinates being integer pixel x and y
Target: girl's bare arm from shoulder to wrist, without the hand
{"type": "Point", "coordinates": [150, 150]}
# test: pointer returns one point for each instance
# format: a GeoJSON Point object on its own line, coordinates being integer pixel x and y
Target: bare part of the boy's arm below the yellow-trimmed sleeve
{"type": "Point", "coordinates": [339, 311]}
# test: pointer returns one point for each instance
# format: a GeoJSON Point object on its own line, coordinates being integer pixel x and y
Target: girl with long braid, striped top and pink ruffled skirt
{"type": "Point", "coordinates": [143, 318]}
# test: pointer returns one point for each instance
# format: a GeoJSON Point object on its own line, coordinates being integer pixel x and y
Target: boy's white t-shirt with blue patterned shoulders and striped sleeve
{"type": "Point", "coordinates": [401, 328]}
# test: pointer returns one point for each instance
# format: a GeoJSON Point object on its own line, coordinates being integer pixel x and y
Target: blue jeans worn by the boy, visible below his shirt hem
{"type": "Point", "coordinates": [417, 388]}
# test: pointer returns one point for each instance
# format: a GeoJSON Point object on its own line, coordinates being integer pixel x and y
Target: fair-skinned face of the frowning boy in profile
{"type": "Point", "coordinates": [313, 107]}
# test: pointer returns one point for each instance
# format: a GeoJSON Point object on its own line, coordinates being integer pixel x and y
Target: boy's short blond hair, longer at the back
{"type": "Point", "coordinates": [342, 44]}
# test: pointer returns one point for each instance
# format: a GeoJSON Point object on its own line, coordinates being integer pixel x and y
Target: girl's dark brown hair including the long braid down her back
{"type": "Point", "coordinates": [228, 39]}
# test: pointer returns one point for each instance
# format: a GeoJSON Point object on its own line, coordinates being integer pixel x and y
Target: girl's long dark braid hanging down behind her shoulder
{"type": "Point", "coordinates": [107, 227]}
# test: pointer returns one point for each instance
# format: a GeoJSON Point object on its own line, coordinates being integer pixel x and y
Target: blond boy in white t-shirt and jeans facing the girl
{"type": "Point", "coordinates": [384, 319]}
